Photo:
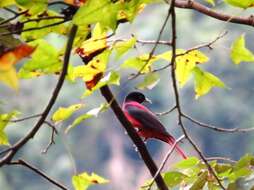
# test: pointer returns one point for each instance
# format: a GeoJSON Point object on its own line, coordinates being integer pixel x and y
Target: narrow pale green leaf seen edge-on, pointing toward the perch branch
{"type": "Point", "coordinates": [92, 113]}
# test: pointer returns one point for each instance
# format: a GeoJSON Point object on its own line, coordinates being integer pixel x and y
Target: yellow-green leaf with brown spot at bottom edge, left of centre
{"type": "Point", "coordinates": [84, 180]}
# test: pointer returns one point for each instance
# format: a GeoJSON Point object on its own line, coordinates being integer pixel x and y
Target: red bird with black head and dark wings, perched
{"type": "Point", "coordinates": [145, 121]}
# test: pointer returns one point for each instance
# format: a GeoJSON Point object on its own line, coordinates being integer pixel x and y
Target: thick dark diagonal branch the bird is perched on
{"type": "Point", "coordinates": [106, 92]}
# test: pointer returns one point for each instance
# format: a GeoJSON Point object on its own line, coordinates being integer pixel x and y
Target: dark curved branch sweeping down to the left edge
{"type": "Point", "coordinates": [14, 149]}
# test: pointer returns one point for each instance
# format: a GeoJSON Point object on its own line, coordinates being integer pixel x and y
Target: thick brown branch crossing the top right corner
{"type": "Point", "coordinates": [190, 4]}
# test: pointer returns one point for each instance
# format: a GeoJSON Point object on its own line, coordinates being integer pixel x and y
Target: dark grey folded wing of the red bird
{"type": "Point", "coordinates": [146, 119]}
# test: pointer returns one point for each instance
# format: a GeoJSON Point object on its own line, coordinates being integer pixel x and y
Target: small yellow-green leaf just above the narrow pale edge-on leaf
{"type": "Point", "coordinates": [64, 113]}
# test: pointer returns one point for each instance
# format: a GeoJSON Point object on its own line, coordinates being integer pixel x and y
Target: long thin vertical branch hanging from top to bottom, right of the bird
{"type": "Point", "coordinates": [177, 99]}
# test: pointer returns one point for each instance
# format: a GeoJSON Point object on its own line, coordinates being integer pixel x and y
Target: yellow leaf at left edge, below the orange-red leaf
{"type": "Point", "coordinates": [9, 77]}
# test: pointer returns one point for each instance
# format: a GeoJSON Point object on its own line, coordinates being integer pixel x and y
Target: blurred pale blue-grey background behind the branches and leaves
{"type": "Point", "coordinates": [100, 145]}
